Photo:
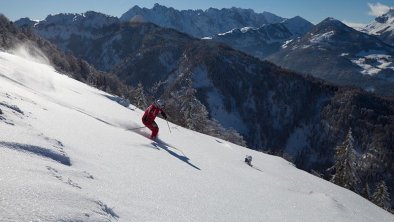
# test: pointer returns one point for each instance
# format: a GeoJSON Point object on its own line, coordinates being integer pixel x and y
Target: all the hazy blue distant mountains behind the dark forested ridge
{"type": "Point", "coordinates": [267, 36]}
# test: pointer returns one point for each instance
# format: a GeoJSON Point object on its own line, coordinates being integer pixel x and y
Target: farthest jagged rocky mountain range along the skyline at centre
{"type": "Point", "coordinates": [200, 23]}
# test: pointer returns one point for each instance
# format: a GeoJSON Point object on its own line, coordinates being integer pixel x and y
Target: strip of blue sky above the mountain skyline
{"type": "Point", "coordinates": [351, 11]}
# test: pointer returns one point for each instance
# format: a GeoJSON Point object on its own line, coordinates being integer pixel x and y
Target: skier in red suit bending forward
{"type": "Point", "coordinates": [148, 119]}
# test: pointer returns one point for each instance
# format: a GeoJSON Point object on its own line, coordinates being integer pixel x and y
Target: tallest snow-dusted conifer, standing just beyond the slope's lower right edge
{"type": "Point", "coordinates": [345, 164]}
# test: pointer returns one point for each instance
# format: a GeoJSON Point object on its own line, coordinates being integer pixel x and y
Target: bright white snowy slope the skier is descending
{"type": "Point", "coordinates": [67, 154]}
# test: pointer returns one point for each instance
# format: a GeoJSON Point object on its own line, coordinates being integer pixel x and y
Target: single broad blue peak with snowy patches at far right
{"type": "Point", "coordinates": [337, 53]}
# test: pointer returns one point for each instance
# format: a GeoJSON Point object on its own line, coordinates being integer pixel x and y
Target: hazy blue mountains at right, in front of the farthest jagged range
{"type": "Point", "coordinates": [346, 56]}
